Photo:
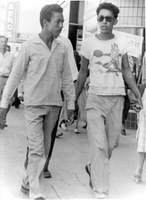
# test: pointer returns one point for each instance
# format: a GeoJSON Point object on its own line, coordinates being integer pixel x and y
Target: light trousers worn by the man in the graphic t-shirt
{"type": "Point", "coordinates": [104, 119]}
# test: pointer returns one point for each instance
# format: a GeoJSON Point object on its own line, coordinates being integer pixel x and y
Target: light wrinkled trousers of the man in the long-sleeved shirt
{"type": "Point", "coordinates": [40, 121]}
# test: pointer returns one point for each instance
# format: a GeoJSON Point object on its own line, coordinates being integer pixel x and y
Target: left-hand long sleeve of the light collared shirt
{"type": "Point", "coordinates": [15, 77]}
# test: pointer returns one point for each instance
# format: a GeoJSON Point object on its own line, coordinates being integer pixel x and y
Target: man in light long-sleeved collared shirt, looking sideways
{"type": "Point", "coordinates": [43, 64]}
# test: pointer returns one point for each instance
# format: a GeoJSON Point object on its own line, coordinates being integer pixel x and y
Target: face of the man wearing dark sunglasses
{"type": "Point", "coordinates": [106, 21]}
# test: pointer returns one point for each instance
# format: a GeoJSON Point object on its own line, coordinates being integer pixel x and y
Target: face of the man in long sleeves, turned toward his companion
{"type": "Point", "coordinates": [56, 24]}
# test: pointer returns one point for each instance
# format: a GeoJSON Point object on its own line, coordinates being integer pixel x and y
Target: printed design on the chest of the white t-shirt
{"type": "Point", "coordinates": [113, 65]}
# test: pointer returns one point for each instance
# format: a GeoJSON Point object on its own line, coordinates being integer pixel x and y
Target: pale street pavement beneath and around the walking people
{"type": "Point", "coordinates": [71, 153]}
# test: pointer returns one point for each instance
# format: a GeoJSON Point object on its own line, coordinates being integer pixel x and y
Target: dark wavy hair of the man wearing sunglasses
{"type": "Point", "coordinates": [109, 6]}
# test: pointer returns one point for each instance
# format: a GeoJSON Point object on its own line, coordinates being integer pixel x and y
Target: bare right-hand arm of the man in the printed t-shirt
{"type": "Point", "coordinates": [129, 78]}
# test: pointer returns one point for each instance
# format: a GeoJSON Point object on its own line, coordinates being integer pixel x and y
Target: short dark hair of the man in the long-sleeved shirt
{"type": "Point", "coordinates": [47, 12]}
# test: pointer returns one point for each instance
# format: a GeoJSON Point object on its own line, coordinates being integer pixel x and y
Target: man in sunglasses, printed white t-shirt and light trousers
{"type": "Point", "coordinates": [105, 57]}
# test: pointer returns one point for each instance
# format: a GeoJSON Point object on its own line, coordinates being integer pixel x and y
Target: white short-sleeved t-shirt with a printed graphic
{"type": "Point", "coordinates": [105, 57]}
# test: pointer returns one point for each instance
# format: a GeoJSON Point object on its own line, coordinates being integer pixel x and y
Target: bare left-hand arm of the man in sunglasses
{"type": "Point", "coordinates": [83, 73]}
